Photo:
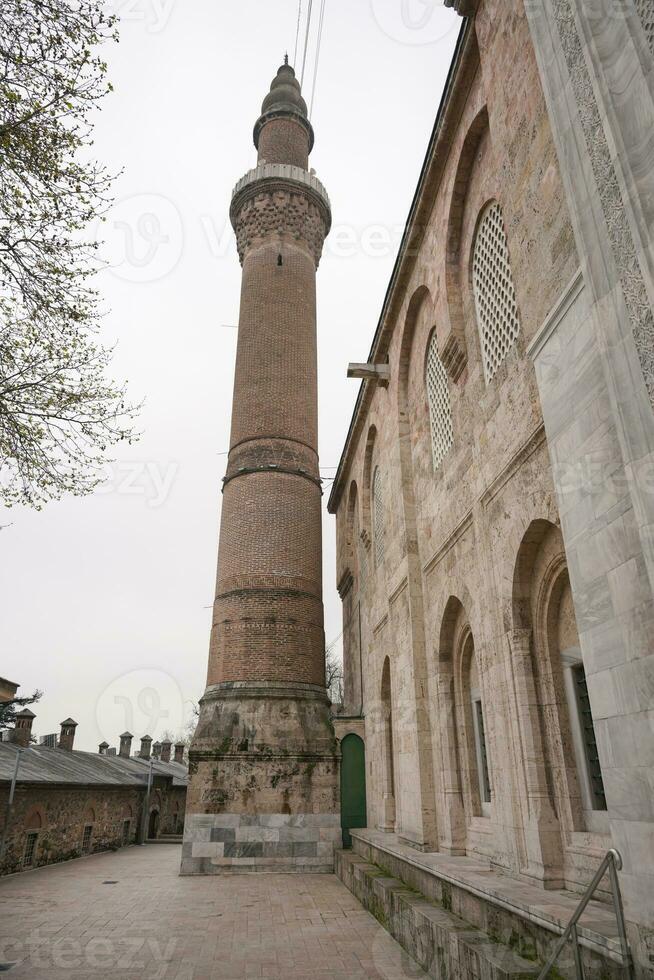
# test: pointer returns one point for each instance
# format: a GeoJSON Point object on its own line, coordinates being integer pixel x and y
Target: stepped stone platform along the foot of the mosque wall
{"type": "Point", "coordinates": [460, 919]}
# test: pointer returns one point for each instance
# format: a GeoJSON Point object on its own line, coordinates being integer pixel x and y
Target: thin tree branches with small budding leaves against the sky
{"type": "Point", "coordinates": [58, 411]}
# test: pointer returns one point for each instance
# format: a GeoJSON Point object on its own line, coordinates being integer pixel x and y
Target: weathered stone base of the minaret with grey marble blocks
{"type": "Point", "coordinates": [264, 786]}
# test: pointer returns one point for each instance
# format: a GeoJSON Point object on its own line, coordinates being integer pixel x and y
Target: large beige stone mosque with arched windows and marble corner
{"type": "Point", "coordinates": [493, 500]}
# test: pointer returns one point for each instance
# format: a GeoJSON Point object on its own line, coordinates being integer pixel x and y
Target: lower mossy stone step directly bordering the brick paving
{"type": "Point", "coordinates": [443, 944]}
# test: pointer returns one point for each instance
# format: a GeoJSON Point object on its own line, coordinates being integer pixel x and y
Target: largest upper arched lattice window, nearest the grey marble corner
{"type": "Point", "coordinates": [492, 283]}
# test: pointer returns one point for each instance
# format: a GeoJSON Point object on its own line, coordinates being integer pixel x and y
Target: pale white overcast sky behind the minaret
{"type": "Point", "coordinates": [106, 600]}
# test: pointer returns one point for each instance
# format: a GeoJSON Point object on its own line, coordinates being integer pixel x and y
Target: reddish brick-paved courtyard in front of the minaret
{"type": "Point", "coordinates": [129, 915]}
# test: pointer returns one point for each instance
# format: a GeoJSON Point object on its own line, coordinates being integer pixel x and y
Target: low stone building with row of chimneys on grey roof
{"type": "Point", "coordinates": [67, 803]}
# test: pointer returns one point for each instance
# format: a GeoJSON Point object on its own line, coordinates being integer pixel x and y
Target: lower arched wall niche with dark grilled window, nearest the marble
{"type": "Point", "coordinates": [564, 781]}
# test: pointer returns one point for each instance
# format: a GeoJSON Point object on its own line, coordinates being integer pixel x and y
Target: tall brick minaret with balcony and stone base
{"type": "Point", "coordinates": [263, 793]}
